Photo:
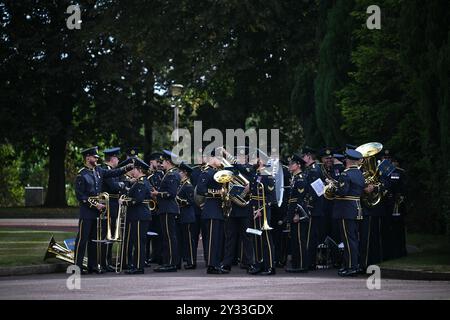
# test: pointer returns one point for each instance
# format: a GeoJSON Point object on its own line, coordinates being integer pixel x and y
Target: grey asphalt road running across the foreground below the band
{"type": "Point", "coordinates": [196, 285]}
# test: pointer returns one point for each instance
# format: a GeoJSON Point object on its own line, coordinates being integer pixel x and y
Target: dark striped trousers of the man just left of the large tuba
{"type": "Point", "coordinates": [349, 234]}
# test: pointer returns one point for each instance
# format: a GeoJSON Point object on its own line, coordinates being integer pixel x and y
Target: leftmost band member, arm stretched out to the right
{"type": "Point", "coordinates": [88, 184]}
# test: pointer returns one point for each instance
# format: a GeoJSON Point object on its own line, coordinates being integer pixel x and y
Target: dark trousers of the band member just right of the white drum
{"type": "Point", "coordinates": [299, 239]}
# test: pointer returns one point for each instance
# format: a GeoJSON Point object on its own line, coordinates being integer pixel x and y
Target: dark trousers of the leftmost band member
{"type": "Point", "coordinates": [87, 231]}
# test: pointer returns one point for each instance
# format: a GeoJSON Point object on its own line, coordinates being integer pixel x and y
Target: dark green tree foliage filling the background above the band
{"type": "Point", "coordinates": [310, 68]}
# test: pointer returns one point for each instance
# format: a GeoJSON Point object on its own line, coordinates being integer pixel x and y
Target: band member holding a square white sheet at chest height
{"type": "Point", "coordinates": [316, 221]}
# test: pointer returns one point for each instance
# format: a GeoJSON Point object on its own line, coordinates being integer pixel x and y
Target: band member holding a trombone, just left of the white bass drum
{"type": "Point", "coordinates": [261, 184]}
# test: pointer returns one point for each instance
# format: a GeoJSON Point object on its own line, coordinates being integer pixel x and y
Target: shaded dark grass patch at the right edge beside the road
{"type": "Point", "coordinates": [434, 254]}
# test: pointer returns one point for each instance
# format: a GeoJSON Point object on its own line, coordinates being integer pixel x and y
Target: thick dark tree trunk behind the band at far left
{"type": "Point", "coordinates": [56, 191]}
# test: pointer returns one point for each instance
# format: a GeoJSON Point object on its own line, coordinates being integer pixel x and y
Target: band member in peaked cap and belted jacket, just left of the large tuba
{"type": "Point", "coordinates": [347, 209]}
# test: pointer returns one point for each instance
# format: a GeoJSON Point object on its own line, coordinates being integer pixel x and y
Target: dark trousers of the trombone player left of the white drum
{"type": "Point", "coordinates": [263, 246]}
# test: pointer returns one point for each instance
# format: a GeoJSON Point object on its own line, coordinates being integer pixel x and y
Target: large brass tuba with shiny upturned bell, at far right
{"type": "Point", "coordinates": [371, 172]}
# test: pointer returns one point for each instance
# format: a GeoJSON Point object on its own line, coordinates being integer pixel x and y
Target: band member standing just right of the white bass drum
{"type": "Point", "coordinates": [298, 216]}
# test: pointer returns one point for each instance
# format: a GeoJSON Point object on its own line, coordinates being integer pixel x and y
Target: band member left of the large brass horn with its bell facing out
{"type": "Point", "coordinates": [212, 214]}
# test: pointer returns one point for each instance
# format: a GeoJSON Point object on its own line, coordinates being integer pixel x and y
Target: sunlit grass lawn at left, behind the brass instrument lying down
{"type": "Point", "coordinates": [20, 247]}
